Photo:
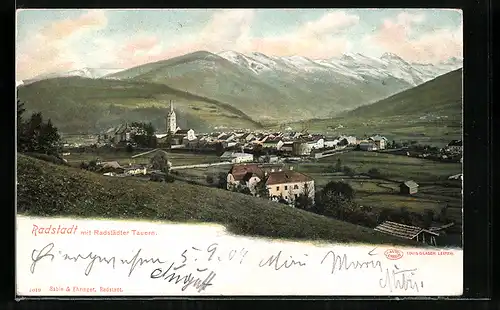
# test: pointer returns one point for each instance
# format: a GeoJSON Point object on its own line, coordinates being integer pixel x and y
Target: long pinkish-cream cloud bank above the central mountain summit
{"type": "Point", "coordinates": [231, 30]}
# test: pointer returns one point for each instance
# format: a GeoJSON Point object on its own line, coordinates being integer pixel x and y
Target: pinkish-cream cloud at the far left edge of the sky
{"type": "Point", "coordinates": [50, 49]}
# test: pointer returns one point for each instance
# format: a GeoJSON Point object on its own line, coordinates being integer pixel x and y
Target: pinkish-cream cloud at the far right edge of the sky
{"type": "Point", "coordinates": [396, 36]}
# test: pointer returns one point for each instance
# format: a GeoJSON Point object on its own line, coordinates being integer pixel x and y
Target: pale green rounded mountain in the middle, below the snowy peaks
{"type": "Point", "coordinates": [273, 96]}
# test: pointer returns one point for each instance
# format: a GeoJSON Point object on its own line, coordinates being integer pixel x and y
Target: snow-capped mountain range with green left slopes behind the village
{"type": "Point", "coordinates": [264, 89]}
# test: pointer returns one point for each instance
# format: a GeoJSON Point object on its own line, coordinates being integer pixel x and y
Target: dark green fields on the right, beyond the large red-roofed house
{"type": "Point", "coordinates": [435, 190]}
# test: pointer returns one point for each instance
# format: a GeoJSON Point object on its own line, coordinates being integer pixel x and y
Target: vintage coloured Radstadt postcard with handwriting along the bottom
{"type": "Point", "coordinates": [239, 152]}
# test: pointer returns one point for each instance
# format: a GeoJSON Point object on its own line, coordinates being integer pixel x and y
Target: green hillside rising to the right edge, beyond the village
{"type": "Point", "coordinates": [430, 113]}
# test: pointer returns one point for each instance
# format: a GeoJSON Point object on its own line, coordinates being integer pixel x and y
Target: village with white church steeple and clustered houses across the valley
{"type": "Point", "coordinates": [288, 167]}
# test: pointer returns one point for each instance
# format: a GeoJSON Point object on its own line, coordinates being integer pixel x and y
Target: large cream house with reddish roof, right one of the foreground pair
{"type": "Point", "coordinates": [289, 185]}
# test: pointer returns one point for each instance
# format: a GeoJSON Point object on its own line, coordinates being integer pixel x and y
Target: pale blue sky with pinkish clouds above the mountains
{"type": "Point", "coordinates": [49, 41]}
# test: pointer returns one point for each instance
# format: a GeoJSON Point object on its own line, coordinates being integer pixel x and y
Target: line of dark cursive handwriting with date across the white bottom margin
{"type": "Point", "coordinates": [196, 267]}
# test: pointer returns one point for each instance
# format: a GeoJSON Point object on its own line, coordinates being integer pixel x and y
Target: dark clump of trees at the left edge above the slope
{"type": "Point", "coordinates": [34, 135]}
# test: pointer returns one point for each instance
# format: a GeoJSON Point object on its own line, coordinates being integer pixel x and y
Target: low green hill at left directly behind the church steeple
{"type": "Point", "coordinates": [78, 104]}
